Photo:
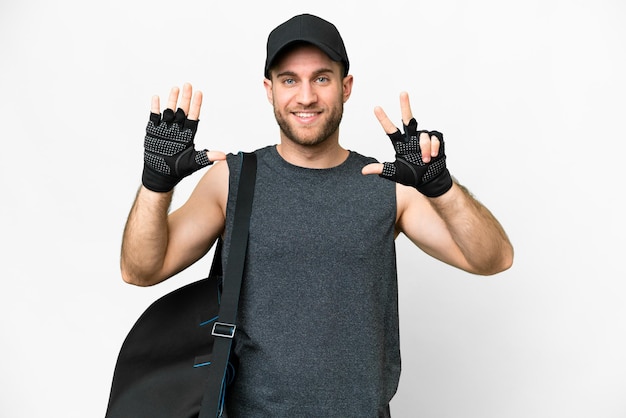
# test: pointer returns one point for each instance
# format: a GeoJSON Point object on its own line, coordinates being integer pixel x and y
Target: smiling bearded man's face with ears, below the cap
{"type": "Point", "coordinates": [308, 90]}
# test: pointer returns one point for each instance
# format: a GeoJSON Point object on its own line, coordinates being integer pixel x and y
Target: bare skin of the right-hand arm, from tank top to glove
{"type": "Point", "coordinates": [455, 228]}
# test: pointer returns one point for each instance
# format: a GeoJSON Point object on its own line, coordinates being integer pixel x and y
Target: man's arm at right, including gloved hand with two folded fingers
{"type": "Point", "coordinates": [436, 213]}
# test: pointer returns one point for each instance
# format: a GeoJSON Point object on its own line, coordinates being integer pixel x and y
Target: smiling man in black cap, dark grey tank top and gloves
{"type": "Point", "coordinates": [318, 321]}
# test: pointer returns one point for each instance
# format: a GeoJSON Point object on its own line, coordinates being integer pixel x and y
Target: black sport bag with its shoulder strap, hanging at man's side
{"type": "Point", "coordinates": [174, 362]}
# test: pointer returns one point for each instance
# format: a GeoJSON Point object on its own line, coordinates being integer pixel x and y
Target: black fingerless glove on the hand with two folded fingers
{"type": "Point", "coordinates": [431, 179]}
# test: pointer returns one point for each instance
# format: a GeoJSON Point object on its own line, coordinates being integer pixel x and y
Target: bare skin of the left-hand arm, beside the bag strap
{"type": "Point", "coordinates": [156, 245]}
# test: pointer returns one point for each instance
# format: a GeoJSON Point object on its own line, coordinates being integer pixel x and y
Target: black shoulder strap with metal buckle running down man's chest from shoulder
{"type": "Point", "coordinates": [224, 328]}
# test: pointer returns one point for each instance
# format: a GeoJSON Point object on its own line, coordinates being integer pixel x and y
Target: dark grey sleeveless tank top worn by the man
{"type": "Point", "coordinates": [317, 328]}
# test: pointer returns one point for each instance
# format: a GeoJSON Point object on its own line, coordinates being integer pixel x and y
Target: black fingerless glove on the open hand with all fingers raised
{"type": "Point", "coordinates": [169, 153]}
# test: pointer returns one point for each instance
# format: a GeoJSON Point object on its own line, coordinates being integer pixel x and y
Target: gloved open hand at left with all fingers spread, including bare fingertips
{"type": "Point", "coordinates": [169, 153]}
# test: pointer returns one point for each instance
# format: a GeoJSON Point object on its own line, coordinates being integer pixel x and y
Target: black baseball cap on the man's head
{"type": "Point", "coordinates": [310, 29]}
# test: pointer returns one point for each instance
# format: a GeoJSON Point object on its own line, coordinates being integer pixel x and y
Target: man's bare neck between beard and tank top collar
{"type": "Point", "coordinates": [327, 154]}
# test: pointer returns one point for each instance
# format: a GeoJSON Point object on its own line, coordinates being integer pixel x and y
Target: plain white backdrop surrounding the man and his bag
{"type": "Point", "coordinates": [531, 96]}
